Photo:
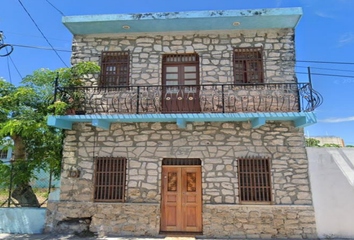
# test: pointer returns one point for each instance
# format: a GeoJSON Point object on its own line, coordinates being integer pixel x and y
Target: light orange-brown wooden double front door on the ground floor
{"type": "Point", "coordinates": [181, 209]}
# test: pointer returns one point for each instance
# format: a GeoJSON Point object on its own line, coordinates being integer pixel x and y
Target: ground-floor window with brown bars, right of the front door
{"type": "Point", "coordinates": [254, 177]}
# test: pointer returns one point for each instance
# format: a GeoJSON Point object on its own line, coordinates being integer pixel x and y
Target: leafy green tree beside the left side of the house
{"type": "Point", "coordinates": [23, 119]}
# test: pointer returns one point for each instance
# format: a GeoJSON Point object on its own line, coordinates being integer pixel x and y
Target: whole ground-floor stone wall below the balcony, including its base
{"type": "Point", "coordinates": [218, 145]}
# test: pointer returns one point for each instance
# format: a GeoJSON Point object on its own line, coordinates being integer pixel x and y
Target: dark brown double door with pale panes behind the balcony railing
{"type": "Point", "coordinates": [180, 91]}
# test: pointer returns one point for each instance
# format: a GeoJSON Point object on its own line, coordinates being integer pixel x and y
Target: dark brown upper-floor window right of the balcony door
{"type": "Point", "coordinates": [248, 65]}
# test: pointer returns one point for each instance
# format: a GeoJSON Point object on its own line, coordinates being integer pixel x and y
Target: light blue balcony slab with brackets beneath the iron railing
{"type": "Point", "coordinates": [300, 119]}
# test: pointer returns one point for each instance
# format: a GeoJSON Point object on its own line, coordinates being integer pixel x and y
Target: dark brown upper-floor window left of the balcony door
{"type": "Point", "coordinates": [115, 68]}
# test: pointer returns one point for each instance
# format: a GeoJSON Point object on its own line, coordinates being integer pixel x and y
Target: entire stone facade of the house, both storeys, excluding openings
{"type": "Point", "coordinates": [217, 144]}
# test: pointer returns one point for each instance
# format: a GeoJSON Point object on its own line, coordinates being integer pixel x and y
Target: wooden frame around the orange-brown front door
{"type": "Point", "coordinates": [162, 196]}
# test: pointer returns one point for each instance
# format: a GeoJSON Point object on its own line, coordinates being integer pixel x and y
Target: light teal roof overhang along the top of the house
{"type": "Point", "coordinates": [184, 21]}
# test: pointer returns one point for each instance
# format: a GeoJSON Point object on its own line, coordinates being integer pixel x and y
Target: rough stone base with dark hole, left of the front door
{"type": "Point", "coordinates": [102, 218]}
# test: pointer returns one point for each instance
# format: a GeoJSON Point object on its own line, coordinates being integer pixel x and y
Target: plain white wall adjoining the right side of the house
{"type": "Point", "coordinates": [332, 182]}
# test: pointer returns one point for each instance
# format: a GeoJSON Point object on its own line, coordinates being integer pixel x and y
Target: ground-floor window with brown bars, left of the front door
{"type": "Point", "coordinates": [110, 175]}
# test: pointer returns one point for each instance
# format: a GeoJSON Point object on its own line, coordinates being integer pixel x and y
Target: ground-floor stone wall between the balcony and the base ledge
{"type": "Point", "coordinates": [218, 145]}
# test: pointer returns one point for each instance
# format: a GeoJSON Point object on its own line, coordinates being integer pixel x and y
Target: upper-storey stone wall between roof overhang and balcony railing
{"type": "Point", "coordinates": [215, 50]}
